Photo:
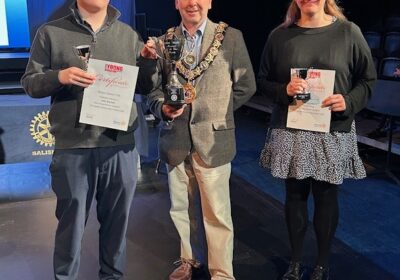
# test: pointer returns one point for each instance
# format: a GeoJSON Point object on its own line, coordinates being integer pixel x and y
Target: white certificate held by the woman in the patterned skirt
{"type": "Point", "coordinates": [308, 114]}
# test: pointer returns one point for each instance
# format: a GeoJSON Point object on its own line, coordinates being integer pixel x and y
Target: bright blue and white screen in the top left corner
{"type": "Point", "coordinates": [14, 27]}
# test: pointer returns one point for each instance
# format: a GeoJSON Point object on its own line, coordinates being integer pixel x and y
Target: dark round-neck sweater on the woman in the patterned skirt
{"type": "Point", "coordinates": [339, 46]}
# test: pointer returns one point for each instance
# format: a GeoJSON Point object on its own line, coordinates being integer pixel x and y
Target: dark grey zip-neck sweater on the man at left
{"type": "Point", "coordinates": [52, 51]}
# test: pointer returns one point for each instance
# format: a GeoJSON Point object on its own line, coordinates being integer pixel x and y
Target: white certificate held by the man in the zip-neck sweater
{"type": "Point", "coordinates": [108, 102]}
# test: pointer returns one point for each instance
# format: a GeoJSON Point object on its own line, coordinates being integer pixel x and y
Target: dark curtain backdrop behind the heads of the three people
{"type": "Point", "coordinates": [254, 18]}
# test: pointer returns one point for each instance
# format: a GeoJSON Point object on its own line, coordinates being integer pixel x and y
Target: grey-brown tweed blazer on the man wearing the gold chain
{"type": "Point", "coordinates": [207, 125]}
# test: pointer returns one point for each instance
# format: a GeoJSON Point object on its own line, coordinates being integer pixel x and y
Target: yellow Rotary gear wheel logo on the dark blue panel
{"type": "Point", "coordinates": [40, 132]}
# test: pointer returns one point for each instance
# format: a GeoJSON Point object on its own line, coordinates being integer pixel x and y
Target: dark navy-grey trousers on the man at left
{"type": "Point", "coordinates": [77, 176]}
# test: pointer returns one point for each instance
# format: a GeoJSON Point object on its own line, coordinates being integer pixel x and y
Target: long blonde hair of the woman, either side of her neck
{"type": "Point", "coordinates": [293, 12]}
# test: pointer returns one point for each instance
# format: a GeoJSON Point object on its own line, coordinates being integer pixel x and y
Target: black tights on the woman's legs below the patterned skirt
{"type": "Point", "coordinates": [326, 215]}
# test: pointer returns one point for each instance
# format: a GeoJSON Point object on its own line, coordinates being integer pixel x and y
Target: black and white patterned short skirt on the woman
{"type": "Point", "coordinates": [330, 157]}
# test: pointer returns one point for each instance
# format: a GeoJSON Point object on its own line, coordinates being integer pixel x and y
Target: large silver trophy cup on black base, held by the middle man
{"type": "Point", "coordinates": [172, 48]}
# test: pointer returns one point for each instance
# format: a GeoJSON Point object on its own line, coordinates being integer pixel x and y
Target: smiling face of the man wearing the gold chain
{"type": "Point", "coordinates": [193, 12]}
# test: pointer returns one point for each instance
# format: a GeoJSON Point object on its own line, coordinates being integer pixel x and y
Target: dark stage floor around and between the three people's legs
{"type": "Point", "coordinates": [261, 247]}
